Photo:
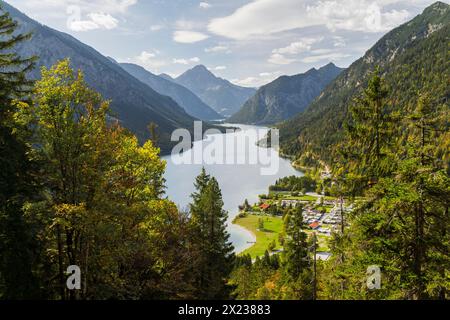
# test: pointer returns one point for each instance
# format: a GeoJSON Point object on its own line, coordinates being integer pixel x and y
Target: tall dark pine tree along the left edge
{"type": "Point", "coordinates": [17, 244]}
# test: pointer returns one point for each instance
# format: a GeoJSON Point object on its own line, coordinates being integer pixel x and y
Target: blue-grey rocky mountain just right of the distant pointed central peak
{"type": "Point", "coordinates": [285, 97]}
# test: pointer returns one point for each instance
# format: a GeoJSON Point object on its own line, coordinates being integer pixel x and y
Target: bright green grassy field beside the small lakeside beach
{"type": "Point", "coordinates": [272, 227]}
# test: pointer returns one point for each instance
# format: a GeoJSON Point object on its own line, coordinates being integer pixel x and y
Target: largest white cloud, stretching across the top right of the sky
{"type": "Point", "coordinates": [265, 17]}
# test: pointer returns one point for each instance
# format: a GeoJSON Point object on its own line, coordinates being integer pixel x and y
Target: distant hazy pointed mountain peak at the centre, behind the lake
{"type": "Point", "coordinates": [223, 96]}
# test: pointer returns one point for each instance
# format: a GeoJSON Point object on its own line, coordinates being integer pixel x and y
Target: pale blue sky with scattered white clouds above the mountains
{"type": "Point", "coordinates": [250, 42]}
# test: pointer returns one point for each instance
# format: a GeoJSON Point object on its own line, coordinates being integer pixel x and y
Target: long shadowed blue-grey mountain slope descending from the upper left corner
{"type": "Point", "coordinates": [133, 103]}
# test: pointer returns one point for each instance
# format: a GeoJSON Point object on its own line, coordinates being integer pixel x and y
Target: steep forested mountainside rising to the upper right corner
{"type": "Point", "coordinates": [412, 58]}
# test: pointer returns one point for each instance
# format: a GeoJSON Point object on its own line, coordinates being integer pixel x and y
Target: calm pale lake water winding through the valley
{"type": "Point", "coordinates": [239, 181]}
